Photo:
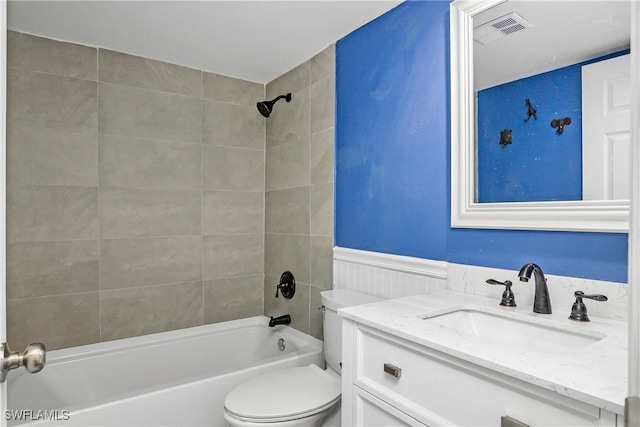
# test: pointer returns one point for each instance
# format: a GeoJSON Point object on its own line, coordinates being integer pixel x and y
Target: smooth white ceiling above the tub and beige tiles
{"type": "Point", "coordinates": [251, 40]}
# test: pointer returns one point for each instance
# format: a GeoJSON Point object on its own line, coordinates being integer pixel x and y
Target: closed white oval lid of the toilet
{"type": "Point", "coordinates": [283, 394]}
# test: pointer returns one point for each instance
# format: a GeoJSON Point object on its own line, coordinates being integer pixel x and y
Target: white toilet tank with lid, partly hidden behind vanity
{"type": "Point", "coordinates": [332, 325]}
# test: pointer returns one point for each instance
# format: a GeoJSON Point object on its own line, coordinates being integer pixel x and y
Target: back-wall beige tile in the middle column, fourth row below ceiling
{"type": "Point", "coordinates": [149, 212]}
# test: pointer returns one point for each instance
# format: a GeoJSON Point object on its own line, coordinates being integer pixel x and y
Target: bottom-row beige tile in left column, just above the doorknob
{"type": "Point", "coordinates": [56, 321]}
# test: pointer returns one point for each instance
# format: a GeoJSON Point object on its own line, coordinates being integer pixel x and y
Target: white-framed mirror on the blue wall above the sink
{"type": "Point", "coordinates": [577, 203]}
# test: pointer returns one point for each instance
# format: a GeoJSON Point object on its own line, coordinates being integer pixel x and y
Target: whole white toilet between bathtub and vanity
{"type": "Point", "coordinates": [300, 396]}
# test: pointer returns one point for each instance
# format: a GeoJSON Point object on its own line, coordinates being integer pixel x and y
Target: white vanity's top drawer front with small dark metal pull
{"type": "Point", "coordinates": [437, 389]}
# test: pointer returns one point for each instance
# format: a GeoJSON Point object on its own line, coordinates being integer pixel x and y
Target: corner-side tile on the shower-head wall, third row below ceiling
{"type": "Point", "coordinates": [288, 165]}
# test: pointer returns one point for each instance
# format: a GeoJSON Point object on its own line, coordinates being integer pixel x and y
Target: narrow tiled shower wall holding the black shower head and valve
{"type": "Point", "coordinates": [299, 190]}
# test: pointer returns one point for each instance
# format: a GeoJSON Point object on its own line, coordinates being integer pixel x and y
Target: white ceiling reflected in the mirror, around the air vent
{"type": "Point", "coordinates": [563, 33]}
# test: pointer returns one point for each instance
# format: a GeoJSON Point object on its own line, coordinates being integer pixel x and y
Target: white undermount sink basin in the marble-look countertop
{"type": "Point", "coordinates": [514, 333]}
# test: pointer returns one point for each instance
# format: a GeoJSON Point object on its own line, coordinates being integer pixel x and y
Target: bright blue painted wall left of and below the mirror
{"type": "Point", "coordinates": [392, 158]}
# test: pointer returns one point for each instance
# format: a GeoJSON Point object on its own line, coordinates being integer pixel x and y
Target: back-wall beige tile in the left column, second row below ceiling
{"type": "Point", "coordinates": [50, 101]}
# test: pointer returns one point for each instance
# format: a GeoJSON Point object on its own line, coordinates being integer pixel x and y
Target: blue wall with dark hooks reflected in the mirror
{"type": "Point", "coordinates": [539, 164]}
